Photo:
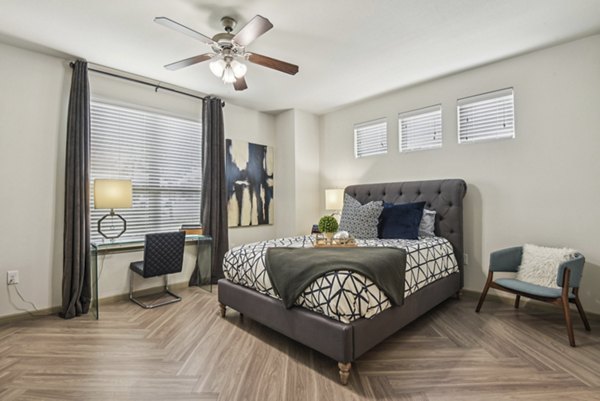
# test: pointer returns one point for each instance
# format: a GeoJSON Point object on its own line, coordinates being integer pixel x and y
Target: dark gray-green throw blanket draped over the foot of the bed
{"type": "Point", "coordinates": [291, 270]}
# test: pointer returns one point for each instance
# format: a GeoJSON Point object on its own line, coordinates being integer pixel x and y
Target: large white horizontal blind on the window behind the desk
{"type": "Point", "coordinates": [160, 154]}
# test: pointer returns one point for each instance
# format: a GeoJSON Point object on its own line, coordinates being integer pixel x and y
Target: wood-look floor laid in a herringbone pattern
{"type": "Point", "coordinates": [185, 351]}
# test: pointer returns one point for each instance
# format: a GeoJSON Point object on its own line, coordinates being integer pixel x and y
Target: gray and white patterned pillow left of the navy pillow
{"type": "Point", "coordinates": [360, 220]}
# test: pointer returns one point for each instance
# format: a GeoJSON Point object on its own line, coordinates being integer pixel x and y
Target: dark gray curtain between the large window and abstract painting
{"type": "Point", "coordinates": [214, 195]}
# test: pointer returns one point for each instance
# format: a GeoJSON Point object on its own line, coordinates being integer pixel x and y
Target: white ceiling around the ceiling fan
{"type": "Point", "coordinates": [347, 50]}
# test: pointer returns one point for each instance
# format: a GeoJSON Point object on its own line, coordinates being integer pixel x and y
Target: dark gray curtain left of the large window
{"type": "Point", "coordinates": [76, 286]}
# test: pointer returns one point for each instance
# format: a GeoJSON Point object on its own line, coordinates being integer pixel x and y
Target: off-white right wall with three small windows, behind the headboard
{"type": "Point", "coordinates": [541, 187]}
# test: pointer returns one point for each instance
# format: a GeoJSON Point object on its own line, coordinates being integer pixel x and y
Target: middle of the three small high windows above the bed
{"type": "Point", "coordinates": [421, 129]}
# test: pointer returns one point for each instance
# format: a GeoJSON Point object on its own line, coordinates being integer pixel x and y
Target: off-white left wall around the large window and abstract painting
{"type": "Point", "coordinates": [33, 98]}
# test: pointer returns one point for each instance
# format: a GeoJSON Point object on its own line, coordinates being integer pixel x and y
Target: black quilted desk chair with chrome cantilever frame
{"type": "Point", "coordinates": [163, 255]}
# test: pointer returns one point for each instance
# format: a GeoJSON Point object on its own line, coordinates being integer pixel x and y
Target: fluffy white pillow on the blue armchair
{"type": "Point", "coordinates": [539, 264]}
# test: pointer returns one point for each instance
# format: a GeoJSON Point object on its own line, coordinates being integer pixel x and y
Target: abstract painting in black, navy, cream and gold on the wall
{"type": "Point", "coordinates": [249, 176]}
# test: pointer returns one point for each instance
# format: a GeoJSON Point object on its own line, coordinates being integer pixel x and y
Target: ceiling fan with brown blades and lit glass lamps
{"type": "Point", "coordinates": [229, 50]}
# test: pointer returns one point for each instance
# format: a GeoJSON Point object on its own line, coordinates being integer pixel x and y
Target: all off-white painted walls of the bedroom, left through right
{"type": "Point", "coordinates": [541, 187]}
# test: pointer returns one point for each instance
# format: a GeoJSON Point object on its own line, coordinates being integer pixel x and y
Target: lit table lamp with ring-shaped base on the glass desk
{"type": "Point", "coordinates": [112, 194]}
